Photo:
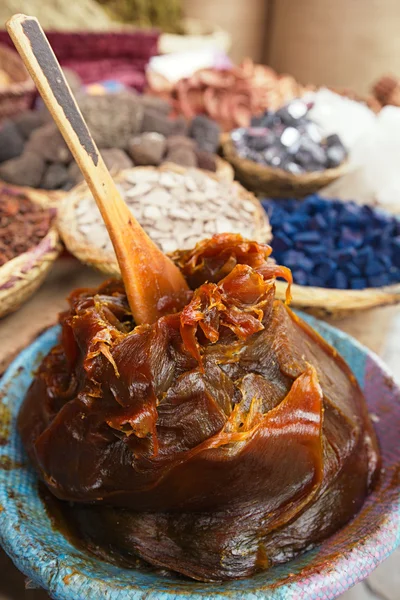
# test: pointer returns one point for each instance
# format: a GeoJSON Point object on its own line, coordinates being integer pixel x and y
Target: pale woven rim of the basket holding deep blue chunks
{"type": "Point", "coordinates": [326, 302]}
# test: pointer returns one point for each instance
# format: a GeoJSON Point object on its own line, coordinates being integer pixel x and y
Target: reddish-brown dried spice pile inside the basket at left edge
{"type": "Point", "coordinates": [23, 225]}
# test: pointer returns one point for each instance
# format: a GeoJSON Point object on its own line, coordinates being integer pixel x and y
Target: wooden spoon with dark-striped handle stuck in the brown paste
{"type": "Point", "coordinates": [147, 273]}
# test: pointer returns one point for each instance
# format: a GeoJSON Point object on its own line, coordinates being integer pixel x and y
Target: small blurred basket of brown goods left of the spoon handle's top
{"type": "Point", "coordinates": [19, 95]}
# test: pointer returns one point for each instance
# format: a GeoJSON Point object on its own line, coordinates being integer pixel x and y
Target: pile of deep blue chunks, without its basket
{"type": "Point", "coordinates": [334, 244]}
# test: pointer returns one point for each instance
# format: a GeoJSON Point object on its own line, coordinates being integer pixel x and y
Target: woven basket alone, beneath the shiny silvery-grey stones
{"type": "Point", "coordinates": [270, 181]}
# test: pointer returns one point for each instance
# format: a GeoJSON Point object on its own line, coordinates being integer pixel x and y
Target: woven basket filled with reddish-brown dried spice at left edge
{"type": "Point", "coordinates": [29, 244]}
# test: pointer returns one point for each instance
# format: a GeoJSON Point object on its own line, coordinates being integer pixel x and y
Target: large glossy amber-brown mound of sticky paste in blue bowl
{"type": "Point", "coordinates": [222, 439]}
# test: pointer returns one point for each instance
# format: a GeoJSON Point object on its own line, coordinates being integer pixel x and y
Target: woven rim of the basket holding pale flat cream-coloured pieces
{"type": "Point", "coordinates": [105, 261]}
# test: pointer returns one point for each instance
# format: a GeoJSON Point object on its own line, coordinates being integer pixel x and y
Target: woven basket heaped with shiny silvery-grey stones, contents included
{"type": "Point", "coordinates": [284, 153]}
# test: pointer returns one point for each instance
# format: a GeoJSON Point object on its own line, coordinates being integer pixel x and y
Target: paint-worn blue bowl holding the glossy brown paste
{"type": "Point", "coordinates": [45, 556]}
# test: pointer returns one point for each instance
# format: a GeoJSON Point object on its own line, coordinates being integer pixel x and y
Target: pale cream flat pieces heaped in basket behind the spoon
{"type": "Point", "coordinates": [177, 209]}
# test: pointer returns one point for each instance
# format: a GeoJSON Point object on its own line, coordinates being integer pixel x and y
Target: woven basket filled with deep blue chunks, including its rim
{"type": "Point", "coordinates": [344, 257]}
